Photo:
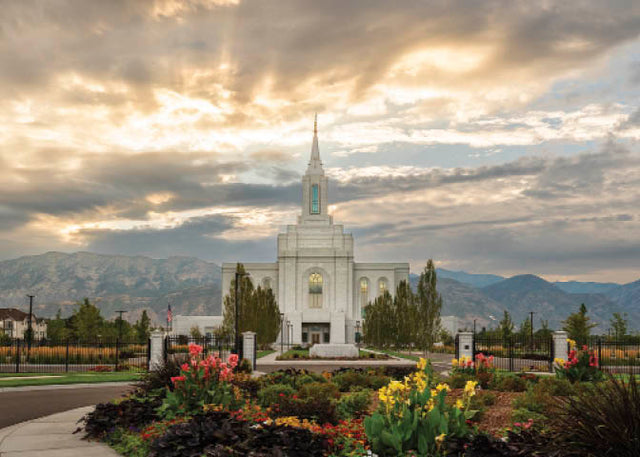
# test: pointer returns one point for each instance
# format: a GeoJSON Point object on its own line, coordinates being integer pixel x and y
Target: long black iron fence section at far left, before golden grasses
{"type": "Point", "coordinates": [46, 356]}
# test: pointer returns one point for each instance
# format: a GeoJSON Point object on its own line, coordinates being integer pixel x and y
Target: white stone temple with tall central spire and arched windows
{"type": "Point", "coordinates": [319, 287]}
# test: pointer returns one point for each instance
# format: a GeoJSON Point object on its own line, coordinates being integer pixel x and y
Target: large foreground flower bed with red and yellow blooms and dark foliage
{"type": "Point", "coordinates": [208, 407]}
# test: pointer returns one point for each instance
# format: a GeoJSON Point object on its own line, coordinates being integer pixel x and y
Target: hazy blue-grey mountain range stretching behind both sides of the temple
{"type": "Point", "coordinates": [192, 286]}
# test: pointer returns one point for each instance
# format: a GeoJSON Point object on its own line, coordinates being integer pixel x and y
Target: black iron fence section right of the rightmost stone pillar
{"type": "Point", "coordinates": [616, 356]}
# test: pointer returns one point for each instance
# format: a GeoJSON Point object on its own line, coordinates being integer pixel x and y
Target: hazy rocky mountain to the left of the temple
{"type": "Point", "coordinates": [112, 281]}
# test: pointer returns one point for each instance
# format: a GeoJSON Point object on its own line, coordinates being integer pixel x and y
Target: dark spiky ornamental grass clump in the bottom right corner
{"type": "Point", "coordinates": [604, 418]}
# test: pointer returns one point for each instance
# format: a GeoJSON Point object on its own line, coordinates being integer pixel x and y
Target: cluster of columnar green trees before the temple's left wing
{"type": "Point", "coordinates": [258, 311]}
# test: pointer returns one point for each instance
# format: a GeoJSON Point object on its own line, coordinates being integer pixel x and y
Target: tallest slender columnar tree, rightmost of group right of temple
{"type": "Point", "coordinates": [429, 304]}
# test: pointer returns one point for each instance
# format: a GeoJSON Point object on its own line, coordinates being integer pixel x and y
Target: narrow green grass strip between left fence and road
{"type": "Point", "coordinates": [64, 378]}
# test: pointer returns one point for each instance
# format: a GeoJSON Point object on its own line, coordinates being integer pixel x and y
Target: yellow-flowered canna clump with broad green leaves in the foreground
{"type": "Point", "coordinates": [413, 416]}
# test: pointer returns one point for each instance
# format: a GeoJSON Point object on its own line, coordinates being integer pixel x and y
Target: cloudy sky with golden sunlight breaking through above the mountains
{"type": "Point", "coordinates": [494, 137]}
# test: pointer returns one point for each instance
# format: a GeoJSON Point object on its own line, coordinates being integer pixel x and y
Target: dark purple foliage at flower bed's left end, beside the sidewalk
{"type": "Point", "coordinates": [134, 412]}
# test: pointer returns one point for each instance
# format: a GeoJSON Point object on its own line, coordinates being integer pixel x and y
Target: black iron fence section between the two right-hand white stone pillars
{"type": "Point", "coordinates": [517, 353]}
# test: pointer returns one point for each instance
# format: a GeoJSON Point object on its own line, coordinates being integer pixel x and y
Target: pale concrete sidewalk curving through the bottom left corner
{"type": "Point", "coordinates": [51, 436]}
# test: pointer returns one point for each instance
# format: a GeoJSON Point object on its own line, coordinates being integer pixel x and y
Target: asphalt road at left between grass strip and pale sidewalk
{"type": "Point", "coordinates": [18, 404]}
